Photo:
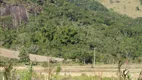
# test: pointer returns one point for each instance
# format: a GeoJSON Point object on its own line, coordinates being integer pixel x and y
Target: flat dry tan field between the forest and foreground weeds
{"type": "Point", "coordinates": [103, 71]}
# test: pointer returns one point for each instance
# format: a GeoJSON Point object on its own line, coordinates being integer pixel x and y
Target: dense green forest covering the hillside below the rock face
{"type": "Point", "coordinates": [73, 28]}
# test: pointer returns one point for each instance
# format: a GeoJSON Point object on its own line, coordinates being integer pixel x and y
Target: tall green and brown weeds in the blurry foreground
{"type": "Point", "coordinates": [52, 72]}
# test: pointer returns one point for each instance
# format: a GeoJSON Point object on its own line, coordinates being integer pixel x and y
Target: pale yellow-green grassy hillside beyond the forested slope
{"type": "Point", "coordinates": [132, 8]}
